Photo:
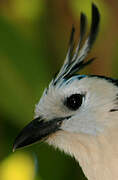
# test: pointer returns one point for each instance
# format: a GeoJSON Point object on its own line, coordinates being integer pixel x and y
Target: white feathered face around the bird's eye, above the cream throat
{"type": "Point", "coordinates": [91, 115]}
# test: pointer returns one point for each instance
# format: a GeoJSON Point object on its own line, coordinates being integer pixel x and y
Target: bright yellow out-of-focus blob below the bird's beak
{"type": "Point", "coordinates": [17, 166]}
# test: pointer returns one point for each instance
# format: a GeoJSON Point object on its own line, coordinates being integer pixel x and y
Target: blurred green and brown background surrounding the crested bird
{"type": "Point", "coordinates": [33, 43]}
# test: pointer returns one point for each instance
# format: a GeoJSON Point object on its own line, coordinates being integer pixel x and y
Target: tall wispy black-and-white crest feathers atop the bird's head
{"type": "Point", "coordinates": [74, 60]}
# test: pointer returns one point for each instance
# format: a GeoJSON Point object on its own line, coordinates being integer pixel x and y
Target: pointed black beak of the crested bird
{"type": "Point", "coordinates": [37, 130]}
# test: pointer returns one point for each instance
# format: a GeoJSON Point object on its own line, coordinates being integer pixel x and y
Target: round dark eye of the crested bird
{"type": "Point", "coordinates": [74, 101]}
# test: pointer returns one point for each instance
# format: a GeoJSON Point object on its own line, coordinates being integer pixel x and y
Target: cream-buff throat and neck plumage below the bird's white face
{"type": "Point", "coordinates": [97, 155]}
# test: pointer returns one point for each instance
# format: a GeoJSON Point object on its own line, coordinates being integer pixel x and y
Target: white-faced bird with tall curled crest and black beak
{"type": "Point", "coordinates": [79, 113]}
